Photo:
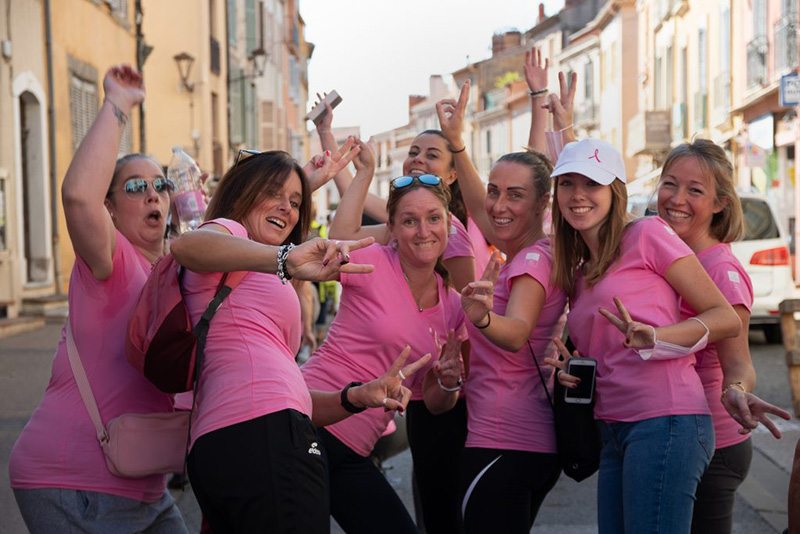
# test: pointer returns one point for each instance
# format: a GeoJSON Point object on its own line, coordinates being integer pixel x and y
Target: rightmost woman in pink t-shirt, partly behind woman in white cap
{"type": "Point", "coordinates": [697, 197]}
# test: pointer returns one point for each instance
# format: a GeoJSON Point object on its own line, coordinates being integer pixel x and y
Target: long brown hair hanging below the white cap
{"type": "Point", "coordinates": [570, 250]}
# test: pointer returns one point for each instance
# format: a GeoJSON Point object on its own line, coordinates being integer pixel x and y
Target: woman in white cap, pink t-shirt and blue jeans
{"type": "Point", "coordinates": [654, 420]}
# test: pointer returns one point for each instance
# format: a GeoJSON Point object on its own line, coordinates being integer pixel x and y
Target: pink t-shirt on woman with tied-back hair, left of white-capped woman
{"type": "Point", "coordinates": [507, 406]}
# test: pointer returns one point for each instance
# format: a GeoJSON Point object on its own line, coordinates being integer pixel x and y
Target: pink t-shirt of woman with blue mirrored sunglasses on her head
{"type": "Point", "coordinates": [378, 317]}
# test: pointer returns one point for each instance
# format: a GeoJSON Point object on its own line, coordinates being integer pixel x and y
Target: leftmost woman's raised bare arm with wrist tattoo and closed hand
{"type": "Point", "coordinates": [89, 175]}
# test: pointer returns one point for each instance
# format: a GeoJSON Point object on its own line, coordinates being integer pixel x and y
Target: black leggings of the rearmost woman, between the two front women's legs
{"type": "Point", "coordinates": [437, 446]}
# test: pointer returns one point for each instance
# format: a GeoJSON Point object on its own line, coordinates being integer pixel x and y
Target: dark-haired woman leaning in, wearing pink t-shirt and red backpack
{"type": "Point", "coordinates": [255, 461]}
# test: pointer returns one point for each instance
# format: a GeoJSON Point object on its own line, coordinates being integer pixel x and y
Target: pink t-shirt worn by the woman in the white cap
{"type": "Point", "coordinates": [629, 388]}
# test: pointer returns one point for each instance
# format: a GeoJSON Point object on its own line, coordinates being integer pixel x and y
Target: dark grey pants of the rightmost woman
{"type": "Point", "coordinates": [716, 493]}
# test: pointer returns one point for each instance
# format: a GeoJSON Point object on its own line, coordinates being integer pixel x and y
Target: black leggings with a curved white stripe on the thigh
{"type": "Point", "coordinates": [504, 489]}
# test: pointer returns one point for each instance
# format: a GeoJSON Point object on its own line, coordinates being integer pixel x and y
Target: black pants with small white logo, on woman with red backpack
{"type": "Point", "coordinates": [262, 475]}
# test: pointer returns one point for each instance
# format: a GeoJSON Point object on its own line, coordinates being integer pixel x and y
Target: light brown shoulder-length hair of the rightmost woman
{"type": "Point", "coordinates": [728, 224]}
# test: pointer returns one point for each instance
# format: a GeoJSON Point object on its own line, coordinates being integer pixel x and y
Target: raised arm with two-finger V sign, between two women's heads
{"type": "Point", "coordinates": [451, 121]}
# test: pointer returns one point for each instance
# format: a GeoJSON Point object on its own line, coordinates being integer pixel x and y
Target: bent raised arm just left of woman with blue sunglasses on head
{"type": "Point", "coordinates": [346, 224]}
